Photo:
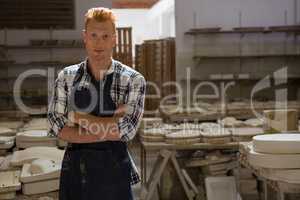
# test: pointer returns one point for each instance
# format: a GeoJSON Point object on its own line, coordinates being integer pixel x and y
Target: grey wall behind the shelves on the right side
{"type": "Point", "coordinates": [228, 14]}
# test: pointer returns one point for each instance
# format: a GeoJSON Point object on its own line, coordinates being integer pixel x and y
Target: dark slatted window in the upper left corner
{"type": "Point", "coordinates": [37, 14]}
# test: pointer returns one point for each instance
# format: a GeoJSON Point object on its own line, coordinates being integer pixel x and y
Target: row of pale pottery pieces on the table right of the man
{"type": "Point", "coordinates": [224, 131]}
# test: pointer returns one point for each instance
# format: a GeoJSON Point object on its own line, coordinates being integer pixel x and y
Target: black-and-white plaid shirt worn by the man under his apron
{"type": "Point", "coordinates": [128, 87]}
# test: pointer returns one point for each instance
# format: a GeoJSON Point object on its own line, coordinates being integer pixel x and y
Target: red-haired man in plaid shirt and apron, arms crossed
{"type": "Point", "coordinates": [104, 100]}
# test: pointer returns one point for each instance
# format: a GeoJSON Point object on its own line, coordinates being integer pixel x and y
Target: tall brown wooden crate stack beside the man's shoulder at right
{"type": "Point", "coordinates": [155, 59]}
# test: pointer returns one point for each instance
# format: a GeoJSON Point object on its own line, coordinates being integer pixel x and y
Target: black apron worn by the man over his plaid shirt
{"type": "Point", "coordinates": [100, 170]}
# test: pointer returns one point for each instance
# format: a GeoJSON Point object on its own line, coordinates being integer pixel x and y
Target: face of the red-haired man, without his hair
{"type": "Point", "coordinates": [99, 39]}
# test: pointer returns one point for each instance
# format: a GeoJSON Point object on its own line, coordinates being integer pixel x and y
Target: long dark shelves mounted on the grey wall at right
{"type": "Point", "coordinates": [241, 32]}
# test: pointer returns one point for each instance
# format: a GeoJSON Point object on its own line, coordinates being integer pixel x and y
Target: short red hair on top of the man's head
{"type": "Point", "coordinates": [100, 14]}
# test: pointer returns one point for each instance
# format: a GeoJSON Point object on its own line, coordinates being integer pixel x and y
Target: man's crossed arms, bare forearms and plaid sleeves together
{"type": "Point", "coordinates": [88, 128]}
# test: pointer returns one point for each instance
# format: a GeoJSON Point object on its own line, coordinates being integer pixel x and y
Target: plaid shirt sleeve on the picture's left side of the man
{"type": "Point", "coordinates": [57, 109]}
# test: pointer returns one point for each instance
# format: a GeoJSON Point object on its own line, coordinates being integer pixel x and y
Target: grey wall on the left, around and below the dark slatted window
{"type": "Point", "coordinates": [35, 88]}
